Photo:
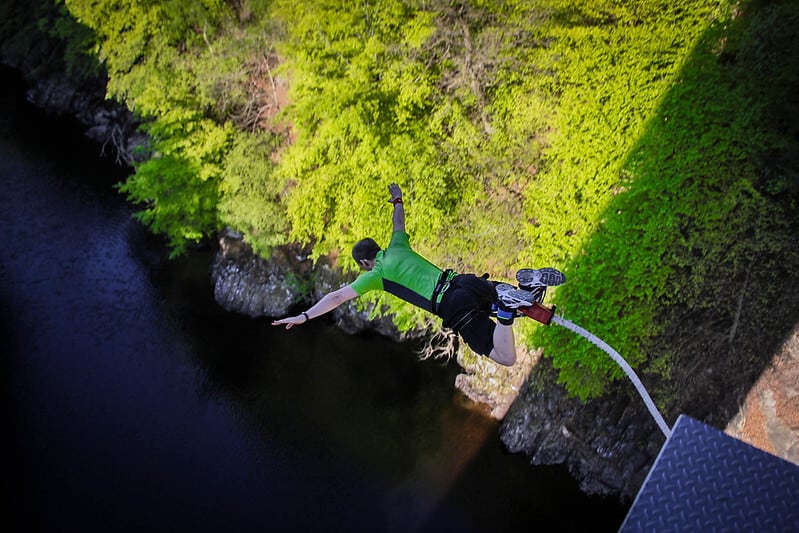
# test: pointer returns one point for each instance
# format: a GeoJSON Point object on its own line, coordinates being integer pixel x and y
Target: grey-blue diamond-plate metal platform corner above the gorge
{"type": "Point", "coordinates": [704, 480]}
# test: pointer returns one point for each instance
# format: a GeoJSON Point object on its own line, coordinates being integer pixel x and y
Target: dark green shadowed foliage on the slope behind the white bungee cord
{"type": "Point", "coordinates": [697, 251]}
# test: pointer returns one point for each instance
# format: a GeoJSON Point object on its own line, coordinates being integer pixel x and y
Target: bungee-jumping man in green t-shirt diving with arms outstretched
{"type": "Point", "coordinates": [465, 302]}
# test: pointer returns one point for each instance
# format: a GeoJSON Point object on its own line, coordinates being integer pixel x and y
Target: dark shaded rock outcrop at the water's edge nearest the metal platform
{"type": "Point", "coordinates": [608, 444]}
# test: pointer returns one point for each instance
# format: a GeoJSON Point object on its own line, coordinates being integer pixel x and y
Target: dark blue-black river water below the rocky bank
{"type": "Point", "coordinates": [131, 402]}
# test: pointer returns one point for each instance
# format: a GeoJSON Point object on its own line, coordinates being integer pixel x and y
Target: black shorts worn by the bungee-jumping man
{"type": "Point", "coordinates": [466, 309]}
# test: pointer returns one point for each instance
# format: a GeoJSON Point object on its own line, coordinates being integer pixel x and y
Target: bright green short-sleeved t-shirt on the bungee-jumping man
{"type": "Point", "coordinates": [402, 272]}
